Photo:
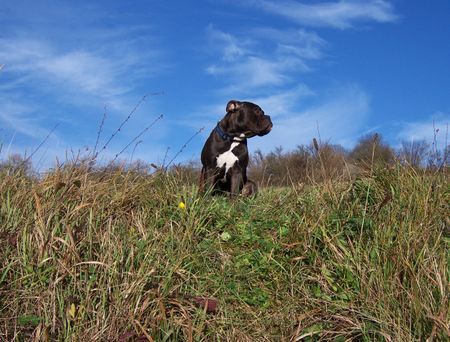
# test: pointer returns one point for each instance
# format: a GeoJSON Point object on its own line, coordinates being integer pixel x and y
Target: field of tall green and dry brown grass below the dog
{"type": "Point", "coordinates": [97, 256]}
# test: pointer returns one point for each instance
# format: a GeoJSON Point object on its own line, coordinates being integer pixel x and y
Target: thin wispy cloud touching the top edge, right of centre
{"type": "Point", "coordinates": [337, 14]}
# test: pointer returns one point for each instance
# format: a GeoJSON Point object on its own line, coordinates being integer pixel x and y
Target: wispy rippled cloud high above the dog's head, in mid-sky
{"type": "Point", "coordinates": [262, 57]}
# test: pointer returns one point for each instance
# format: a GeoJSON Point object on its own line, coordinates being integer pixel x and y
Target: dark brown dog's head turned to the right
{"type": "Point", "coordinates": [246, 119]}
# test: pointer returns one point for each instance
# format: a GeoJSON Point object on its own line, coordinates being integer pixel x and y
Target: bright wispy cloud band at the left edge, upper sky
{"type": "Point", "coordinates": [76, 71]}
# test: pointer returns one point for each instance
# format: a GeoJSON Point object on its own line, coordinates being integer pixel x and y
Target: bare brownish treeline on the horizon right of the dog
{"type": "Point", "coordinates": [322, 161]}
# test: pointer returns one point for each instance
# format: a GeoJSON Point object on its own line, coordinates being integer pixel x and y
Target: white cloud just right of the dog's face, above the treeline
{"type": "Point", "coordinates": [338, 118]}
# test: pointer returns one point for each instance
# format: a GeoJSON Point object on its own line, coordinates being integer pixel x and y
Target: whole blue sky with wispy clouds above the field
{"type": "Point", "coordinates": [341, 68]}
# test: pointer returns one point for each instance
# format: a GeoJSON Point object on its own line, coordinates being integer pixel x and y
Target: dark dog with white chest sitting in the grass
{"type": "Point", "coordinates": [225, 154]}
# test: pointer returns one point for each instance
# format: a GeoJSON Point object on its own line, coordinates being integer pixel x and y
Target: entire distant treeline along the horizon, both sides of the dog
{"type": "Point", "coordinates": [311, 163]}
